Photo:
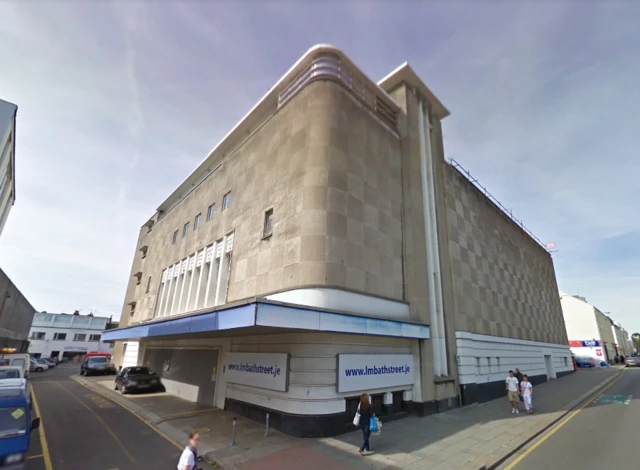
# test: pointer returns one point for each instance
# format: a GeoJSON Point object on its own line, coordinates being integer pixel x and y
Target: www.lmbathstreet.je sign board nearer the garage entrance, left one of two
{"type": "Point", "coordinates": [269, 371]}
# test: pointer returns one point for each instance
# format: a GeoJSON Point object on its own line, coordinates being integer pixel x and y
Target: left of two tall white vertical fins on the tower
{"type": "Point", "coordinates": [435, 340]}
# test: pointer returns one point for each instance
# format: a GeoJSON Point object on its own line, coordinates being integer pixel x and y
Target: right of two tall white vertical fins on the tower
{"type": "Point", "coordinates": [434, 240]}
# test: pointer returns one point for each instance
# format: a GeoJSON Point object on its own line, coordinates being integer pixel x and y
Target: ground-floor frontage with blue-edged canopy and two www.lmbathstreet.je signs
{"type": "Point", "coordinates": [305, 367]}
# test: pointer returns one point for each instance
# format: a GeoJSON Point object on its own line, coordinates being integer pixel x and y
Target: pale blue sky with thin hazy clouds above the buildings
{"type": "Point", "coordinates": [118, 103]}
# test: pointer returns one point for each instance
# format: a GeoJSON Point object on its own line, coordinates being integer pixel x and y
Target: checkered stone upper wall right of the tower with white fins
{"type": "Point", "coordinates": [504, 282]}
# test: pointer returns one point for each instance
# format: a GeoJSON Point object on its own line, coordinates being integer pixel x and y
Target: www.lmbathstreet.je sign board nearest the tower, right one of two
{"type": "Point", "coordinates": [364, 372]}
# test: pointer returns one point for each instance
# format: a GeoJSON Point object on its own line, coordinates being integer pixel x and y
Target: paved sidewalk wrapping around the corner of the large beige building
{"type": "Point", "coordinates": [470, 438]}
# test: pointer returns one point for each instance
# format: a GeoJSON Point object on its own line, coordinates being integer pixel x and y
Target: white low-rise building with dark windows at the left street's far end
{"type": "Point", "coordinates": [65, 335]}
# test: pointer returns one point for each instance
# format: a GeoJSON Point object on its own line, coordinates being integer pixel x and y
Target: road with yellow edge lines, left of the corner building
{"type": "Point", "coordinates": [84, 430]}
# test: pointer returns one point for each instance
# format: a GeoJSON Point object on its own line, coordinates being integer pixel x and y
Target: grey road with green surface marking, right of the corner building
{"type": "Point", "coordinates": [603, 434]}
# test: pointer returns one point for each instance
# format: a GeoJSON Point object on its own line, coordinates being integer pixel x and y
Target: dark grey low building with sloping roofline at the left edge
{"type": "Point", "coordinates": [16, 315]}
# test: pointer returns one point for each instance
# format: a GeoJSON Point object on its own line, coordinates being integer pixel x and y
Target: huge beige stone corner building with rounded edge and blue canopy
{"type": "Point", "coordinates": [331, 236]}
